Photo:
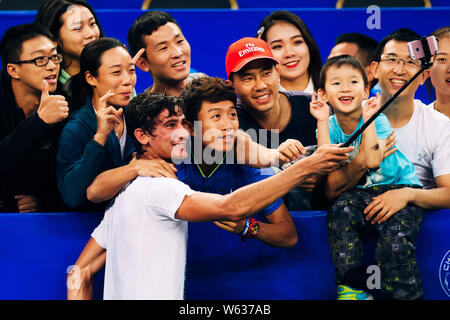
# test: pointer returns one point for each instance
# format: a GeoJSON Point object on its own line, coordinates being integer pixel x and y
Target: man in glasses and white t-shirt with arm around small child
{"type": "Point", "coordinates": [422, 133]}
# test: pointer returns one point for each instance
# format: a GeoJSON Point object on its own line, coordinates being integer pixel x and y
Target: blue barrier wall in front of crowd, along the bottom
{"type": "Point", "coordinates": [36, 250]}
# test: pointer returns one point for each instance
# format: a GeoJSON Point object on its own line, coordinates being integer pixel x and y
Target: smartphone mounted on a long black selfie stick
{"type": "Point", "coordinates": [422, 50]}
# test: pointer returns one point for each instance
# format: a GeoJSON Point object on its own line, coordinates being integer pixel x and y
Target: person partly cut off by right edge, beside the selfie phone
{"type": "Point", "coordinates": [440, 72]}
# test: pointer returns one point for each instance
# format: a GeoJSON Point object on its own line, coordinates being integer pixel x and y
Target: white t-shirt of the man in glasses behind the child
{"type": "Point", "coordinates": [425, 140]}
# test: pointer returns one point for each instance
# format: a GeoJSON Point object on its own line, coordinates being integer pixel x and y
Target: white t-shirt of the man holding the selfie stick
{"type": "Point", "coordinates": [146, 254]}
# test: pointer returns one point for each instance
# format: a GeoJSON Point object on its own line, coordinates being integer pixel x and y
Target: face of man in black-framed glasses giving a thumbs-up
{"type": "Point", "coordinates": [30, 75]}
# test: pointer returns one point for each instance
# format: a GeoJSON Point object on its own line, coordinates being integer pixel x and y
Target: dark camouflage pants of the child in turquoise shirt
{"type": "Point", "coordinates": [395, 251]}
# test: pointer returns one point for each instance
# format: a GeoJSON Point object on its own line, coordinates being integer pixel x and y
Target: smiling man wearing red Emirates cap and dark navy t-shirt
{"type": "Point", "coordinates": [268, 115]}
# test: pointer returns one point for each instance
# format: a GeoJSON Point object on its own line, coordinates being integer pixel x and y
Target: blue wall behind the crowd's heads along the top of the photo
{"type": "Point", "coordinates": [210, 32]}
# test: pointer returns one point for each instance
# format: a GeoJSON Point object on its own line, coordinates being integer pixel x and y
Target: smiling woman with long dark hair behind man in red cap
{"type": "Point", "coordinates": [294, 47]}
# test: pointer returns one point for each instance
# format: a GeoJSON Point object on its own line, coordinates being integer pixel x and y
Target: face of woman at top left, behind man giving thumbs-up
{"type": "Point", "coordinates": [78, 29]}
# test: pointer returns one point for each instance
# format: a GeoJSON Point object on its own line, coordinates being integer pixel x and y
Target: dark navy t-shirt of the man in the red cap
{"type": "Point", "coordinates": [301, 127]}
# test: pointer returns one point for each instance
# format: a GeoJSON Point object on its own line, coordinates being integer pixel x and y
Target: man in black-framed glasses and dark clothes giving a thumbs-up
{"type": "Point", "coordinates": [30, 120]}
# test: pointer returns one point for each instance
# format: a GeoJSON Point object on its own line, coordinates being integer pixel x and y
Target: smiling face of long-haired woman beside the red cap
{"type": "Point", "coordinates": [289, 48]}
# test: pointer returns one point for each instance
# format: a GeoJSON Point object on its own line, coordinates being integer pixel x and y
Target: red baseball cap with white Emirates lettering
{"type": "Point", "coordinates": [245, 50]}
